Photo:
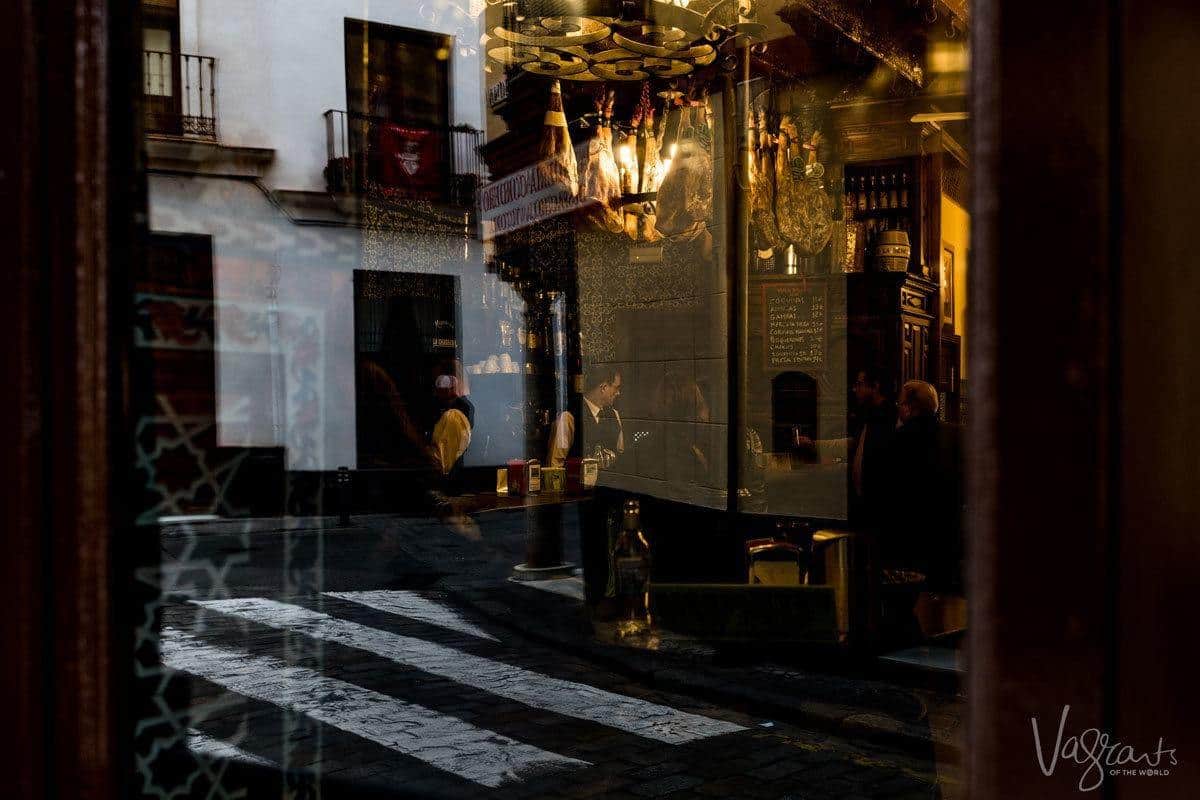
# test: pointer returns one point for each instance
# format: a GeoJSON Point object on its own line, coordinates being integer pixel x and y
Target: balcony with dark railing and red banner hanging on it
{"type": "Point", "coordinates": [403, 163]}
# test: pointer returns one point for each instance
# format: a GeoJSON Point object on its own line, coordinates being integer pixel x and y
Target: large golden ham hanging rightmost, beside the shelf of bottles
{"type": "Point", "coordinates": [803, 209]}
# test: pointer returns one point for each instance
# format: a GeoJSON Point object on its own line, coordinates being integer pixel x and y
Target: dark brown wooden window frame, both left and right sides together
{"type": "Point", "coordinates": [1083, 545]}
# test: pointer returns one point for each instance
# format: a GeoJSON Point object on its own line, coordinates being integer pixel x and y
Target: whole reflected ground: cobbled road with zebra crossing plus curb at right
{"type": "Point", "coordinates": [394, 658]}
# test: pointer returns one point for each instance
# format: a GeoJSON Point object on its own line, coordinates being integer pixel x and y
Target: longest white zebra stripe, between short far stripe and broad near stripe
{"type": "Point", "coordinates": [532, 689]}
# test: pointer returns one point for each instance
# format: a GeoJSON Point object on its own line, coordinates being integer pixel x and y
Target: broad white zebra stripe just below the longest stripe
{"type": "Point", "coordinates": [443, 742]}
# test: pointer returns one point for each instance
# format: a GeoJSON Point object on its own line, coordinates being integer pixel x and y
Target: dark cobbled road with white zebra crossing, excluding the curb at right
{"type": "Point", "coordinates": [373, 690]}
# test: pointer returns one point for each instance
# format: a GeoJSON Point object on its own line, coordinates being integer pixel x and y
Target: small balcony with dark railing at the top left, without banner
{"type": "Point", "coordinates": [179, 95]}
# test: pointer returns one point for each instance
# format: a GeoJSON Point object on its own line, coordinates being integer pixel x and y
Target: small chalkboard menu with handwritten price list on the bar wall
{"type": "Point", "coordinates": [796, 324]}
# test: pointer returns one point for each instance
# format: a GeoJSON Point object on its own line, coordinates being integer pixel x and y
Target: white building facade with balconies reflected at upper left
{"type": "Point", "coordinates": [286, 242]}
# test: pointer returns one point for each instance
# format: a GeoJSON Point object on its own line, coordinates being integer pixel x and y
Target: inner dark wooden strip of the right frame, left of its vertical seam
{"type": "Point", "coordinates": [1034, 508]}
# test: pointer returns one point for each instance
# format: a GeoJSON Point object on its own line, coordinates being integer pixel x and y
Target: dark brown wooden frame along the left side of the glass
{"type": "Point", "coordinates": [73, 200]}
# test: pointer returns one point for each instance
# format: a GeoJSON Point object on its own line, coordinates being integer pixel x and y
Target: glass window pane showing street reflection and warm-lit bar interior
{"type": "Point", "coordinates": [497, 362]}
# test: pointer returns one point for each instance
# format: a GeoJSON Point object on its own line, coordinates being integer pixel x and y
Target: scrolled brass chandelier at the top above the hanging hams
{"type": "Point", "coordinates": [615, 40]}
